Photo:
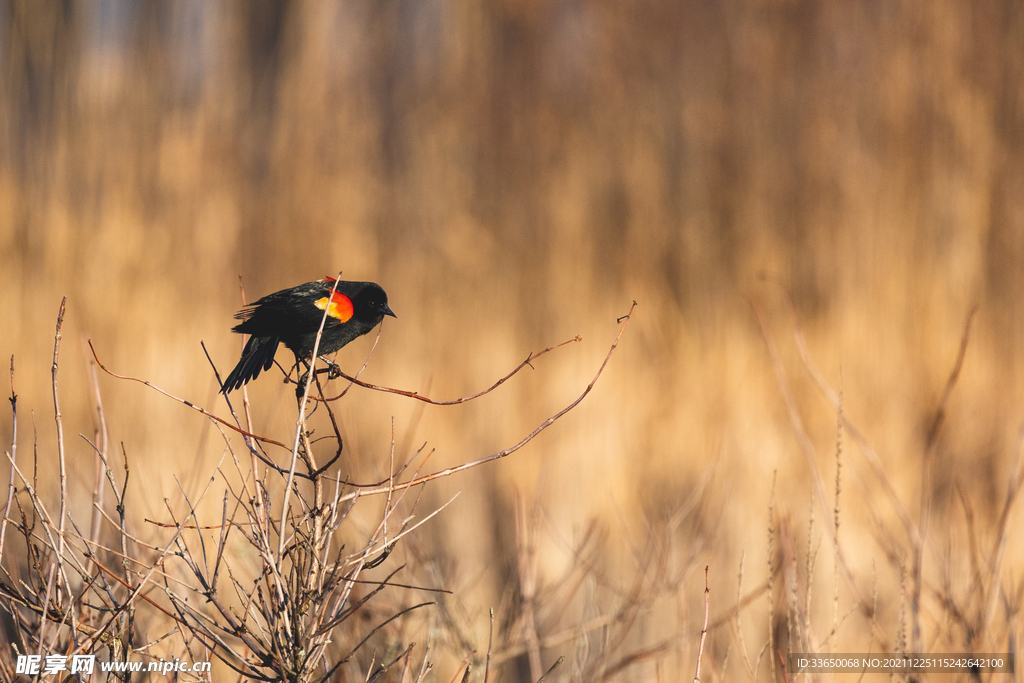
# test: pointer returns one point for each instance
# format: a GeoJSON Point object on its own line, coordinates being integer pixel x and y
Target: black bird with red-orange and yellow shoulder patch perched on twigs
{"type": "Point", "coordinates": [292, 317]}
